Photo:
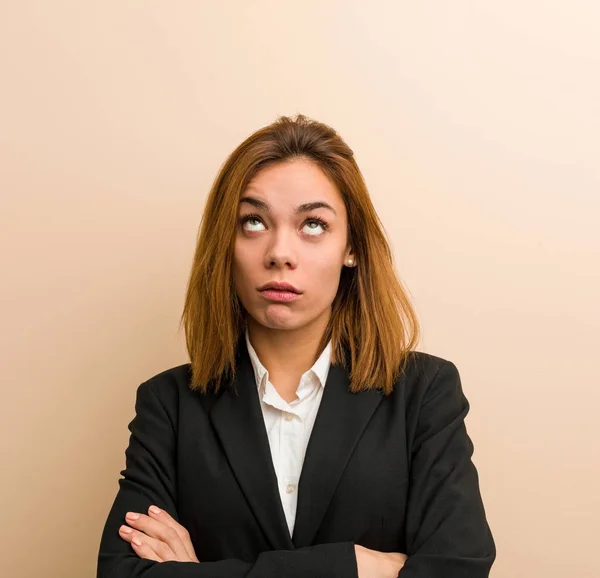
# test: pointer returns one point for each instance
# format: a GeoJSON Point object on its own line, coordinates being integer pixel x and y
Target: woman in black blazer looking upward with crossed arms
{"type": "Point", "coordinates": [307, 437]}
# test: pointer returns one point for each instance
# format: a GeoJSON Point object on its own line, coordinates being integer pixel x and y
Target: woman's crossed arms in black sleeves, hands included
{"type": "Point", "coordinates": [447, 533]}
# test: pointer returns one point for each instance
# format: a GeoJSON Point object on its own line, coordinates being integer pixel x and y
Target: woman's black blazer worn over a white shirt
{"type": "Point", "coordinates": [392, 473]}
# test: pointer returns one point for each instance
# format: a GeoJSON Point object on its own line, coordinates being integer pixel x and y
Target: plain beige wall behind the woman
{"type": "Point", "coordinates": [477, 127]}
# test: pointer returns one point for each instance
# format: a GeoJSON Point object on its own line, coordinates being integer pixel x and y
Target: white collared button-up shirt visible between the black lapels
{"type": "Point", "coordinates": [289, 425]}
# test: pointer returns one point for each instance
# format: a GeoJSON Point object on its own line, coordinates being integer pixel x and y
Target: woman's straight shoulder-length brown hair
{"type": "Point", "coordinates": [373, 326]}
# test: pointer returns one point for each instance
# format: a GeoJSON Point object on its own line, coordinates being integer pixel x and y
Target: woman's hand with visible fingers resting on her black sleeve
{"type": "Point", "coordinates": [158, 537]}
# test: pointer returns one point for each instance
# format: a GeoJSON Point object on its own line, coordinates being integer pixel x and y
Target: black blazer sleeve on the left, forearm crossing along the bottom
{"type": "Point", "coordinates": [150, 478]}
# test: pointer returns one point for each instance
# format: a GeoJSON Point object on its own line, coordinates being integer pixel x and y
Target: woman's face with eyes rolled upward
{"type": "Point", "coordinates": [279, 240]}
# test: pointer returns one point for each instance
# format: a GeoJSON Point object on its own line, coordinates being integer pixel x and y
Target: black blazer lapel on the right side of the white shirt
{"type": "Point", "coordinates": [340, 421]}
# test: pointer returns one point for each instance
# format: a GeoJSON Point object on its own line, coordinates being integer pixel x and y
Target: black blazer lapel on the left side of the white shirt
{"type": "Point", "coordinates": [238, 421]}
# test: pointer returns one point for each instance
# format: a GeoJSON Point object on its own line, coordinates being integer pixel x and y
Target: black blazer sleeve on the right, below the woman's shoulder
{"type": "Point", "coordinates": [446, 528]}
